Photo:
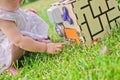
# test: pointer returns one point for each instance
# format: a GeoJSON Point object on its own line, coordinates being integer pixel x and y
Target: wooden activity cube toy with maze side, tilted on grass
{"type": "Point", "coordinates": [84, 20]}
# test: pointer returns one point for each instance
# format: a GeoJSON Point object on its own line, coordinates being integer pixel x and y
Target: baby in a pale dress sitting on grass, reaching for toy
{"type": "Point", "coordinates": [22, 31]}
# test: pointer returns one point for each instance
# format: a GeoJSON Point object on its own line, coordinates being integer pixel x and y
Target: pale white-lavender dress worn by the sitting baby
{"type": "Point", "coordinates": [29, 24]}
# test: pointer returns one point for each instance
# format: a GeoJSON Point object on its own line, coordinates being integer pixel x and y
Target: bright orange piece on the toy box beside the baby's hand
{"type": "Point", "coordinates": [72, 34]}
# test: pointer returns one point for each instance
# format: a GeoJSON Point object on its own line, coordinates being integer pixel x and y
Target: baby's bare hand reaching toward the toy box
{"type": "Point", "coordinates": [53, 48]}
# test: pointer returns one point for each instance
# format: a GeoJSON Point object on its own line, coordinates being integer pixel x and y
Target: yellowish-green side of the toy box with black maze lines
{"type": "Point", "coordinates": [96, 17]}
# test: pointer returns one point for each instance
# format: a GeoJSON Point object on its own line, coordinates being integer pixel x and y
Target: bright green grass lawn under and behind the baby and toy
{"type": "Point", "coordinates": [74, 63]}
